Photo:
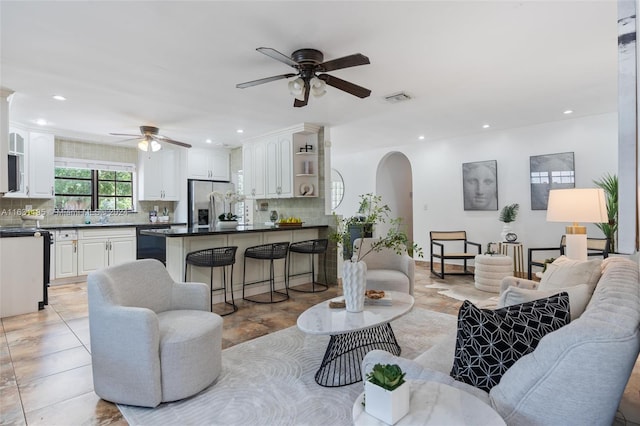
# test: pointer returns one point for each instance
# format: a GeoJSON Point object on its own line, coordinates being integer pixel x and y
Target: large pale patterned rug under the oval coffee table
{"type": "Point", "coordinates": [270, 380]}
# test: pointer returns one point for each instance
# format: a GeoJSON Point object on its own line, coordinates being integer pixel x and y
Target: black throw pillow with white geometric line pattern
{"type": "Point", "coordinates": [489, 342]}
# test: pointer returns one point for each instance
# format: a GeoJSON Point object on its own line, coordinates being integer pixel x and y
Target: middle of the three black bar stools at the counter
{"type": "Point", "coordinates": [268, 252]}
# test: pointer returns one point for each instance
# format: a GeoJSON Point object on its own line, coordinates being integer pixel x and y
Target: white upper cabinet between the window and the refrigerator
{"type": "Point", "coordinates": [158, 174]}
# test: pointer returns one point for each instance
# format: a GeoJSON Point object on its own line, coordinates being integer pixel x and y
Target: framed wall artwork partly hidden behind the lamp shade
{"type": "Point", "coordinates": [547, 172]}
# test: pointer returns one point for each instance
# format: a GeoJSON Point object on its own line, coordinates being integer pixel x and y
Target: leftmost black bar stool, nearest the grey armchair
{"type": "Point", "coordinates": [214, 258]}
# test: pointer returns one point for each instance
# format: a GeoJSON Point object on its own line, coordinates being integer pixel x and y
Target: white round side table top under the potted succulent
{"type": "Point", "coordinates": [434, 403]}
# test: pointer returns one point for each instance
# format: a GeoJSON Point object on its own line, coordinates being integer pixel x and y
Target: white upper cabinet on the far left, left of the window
{"type": "Point", "coordinates": [34, 153]}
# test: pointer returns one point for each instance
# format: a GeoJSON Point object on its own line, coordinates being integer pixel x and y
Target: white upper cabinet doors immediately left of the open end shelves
{"type": "Point", "coordinates": [279, 180]}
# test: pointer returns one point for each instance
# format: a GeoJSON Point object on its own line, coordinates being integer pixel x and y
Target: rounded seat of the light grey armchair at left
{"type": "Point", "coordinates": [190, 352]}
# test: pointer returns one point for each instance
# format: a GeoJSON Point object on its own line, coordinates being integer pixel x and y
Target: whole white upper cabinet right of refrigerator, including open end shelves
{"type": "Point", "coordinates": [282, 164]}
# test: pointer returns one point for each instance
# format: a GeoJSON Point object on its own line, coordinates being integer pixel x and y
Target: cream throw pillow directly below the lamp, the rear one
{"type": "Point", "coordinates": [565, 272]}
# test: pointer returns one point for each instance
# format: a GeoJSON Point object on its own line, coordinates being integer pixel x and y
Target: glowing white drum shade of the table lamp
{"type": "Point", "coordinates": [586, 205]}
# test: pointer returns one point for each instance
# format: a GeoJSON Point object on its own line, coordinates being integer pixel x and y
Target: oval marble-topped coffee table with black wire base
{"type": "Point", "coordinates": [353, 335]}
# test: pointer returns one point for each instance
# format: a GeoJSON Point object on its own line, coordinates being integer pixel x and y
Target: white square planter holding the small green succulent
{"type": "Point", "coordinates": [388, 406]}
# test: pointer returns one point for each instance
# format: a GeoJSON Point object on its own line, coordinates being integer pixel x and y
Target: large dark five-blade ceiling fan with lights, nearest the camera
{"type": "Point", "coordinates": [310, 66]}
